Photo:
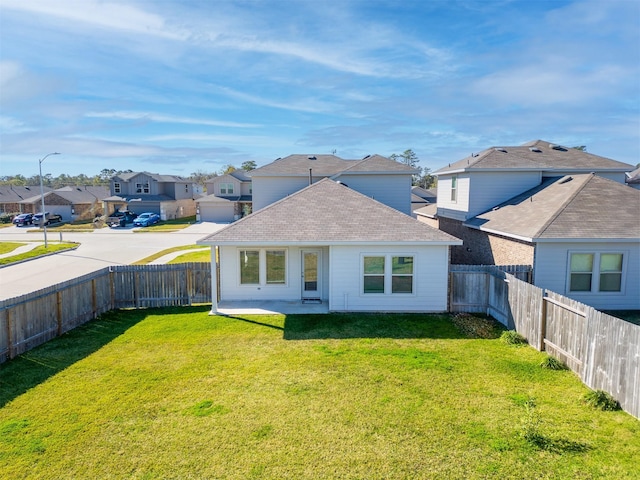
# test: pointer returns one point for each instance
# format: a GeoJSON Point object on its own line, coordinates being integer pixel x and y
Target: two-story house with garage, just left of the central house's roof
{"type": "Point", "coordinates": [229, 198]}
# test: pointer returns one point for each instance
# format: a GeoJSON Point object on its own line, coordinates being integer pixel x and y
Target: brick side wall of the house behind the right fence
{"type": "Point", "coordinates": [481, 248]}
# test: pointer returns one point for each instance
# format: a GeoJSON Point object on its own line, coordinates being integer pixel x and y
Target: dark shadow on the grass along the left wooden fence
{"type": "Point", "coordinates": [32, 368]}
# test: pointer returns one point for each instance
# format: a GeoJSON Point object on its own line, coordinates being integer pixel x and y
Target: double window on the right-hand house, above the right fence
{"type": "Point", "coordinates": [596, 272]}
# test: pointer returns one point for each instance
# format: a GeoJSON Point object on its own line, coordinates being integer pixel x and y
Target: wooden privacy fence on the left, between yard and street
{"type": "Point", "coordinates": [30, 320]}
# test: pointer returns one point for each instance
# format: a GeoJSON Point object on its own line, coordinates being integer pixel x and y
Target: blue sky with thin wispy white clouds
{"type": "Point", "coordinates": [174, 87]}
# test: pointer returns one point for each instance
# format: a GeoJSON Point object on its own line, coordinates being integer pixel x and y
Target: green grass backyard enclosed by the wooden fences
{"type": "Point", "coordinates": [176, 393]}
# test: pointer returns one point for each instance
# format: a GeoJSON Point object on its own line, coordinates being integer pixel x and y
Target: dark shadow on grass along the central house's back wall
{"type": "Point", "coordinates": [370, 325]}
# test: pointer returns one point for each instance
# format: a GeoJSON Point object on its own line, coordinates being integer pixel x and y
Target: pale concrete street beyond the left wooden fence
{"type": "Point", "coordinates": [97, 249]}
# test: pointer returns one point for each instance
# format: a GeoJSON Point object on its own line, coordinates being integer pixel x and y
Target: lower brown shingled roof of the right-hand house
{"type": "Point", "coordinates": [571, 207]}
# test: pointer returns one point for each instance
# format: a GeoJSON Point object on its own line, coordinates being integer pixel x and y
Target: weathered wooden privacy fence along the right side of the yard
{"type": "Point", "coordinates": [604, 351]}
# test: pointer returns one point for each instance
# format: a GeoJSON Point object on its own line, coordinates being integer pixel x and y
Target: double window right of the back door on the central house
{"type": "Point", "coordinates": [388, 273]}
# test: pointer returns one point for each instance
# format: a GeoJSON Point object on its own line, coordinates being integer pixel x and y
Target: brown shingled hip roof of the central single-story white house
{"type": "Point", "coordinates": [327, 213]}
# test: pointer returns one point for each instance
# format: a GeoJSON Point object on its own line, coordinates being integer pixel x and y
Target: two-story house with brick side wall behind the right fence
{"type": "Point", "coordinates": [550, 207]}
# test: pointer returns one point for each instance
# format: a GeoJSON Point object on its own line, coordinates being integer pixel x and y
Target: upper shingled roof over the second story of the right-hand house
{"type": "Point", "coordinates": [536, 155]}
